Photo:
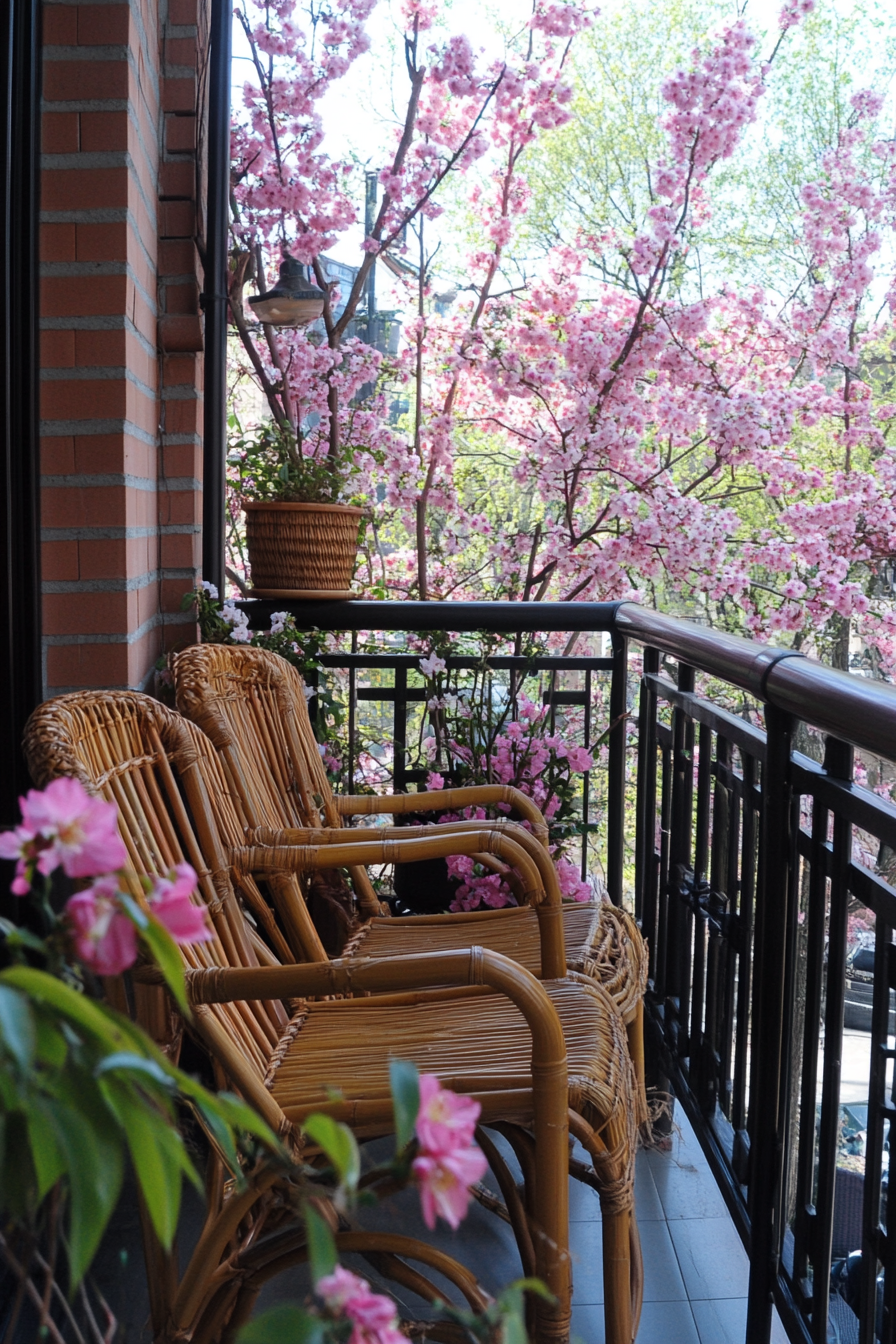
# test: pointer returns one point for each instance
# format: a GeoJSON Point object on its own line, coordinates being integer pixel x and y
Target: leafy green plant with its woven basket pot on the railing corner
{"type": "Point", "coordinates": [302, 528]}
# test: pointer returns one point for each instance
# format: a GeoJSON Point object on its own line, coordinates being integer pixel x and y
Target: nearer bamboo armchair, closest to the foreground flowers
{"type": "Point", "coordinates": [283, 1045]}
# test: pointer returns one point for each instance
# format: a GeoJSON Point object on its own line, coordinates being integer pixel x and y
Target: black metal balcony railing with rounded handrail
{"type": "Point", "coordinates": [737, 826]}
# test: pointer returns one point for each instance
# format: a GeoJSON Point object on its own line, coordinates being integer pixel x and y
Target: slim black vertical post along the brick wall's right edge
{"type": "Point", "coordinates": [216, 294]}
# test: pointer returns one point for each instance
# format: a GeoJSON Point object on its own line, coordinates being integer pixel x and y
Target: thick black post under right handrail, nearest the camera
{"type": "Point", "coordinates": [766, 1118]}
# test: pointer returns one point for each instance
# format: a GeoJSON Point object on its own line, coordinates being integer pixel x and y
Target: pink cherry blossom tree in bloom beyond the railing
{"type": "Point", "coordinates": [725, 454]}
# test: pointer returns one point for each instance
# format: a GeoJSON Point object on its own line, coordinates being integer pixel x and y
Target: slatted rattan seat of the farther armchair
{"type": "Point", "coordinates": [598, 943]}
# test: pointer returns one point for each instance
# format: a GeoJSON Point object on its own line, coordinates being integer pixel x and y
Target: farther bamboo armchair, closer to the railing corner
{"type": "Point", "coordinates": [252, 705]}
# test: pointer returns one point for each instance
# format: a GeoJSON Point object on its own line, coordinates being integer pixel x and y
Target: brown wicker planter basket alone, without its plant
{"type": "Point", "coordinates": [302, 546]}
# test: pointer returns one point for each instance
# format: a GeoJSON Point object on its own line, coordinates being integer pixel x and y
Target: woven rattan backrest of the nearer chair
{"type": "Point", "coordinates": [146, 759]}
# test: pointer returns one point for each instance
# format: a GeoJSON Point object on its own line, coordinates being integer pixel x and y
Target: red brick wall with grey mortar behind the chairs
{"type": "Point", "coordinates": [122, 335]}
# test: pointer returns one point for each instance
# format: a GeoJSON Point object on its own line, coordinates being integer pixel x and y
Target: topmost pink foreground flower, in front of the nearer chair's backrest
{"type": "Point", "coordinates": [64, 826]}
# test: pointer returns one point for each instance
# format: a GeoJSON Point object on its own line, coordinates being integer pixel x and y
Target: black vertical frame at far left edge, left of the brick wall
{"type": "Point", "coordinates": [19, 450]}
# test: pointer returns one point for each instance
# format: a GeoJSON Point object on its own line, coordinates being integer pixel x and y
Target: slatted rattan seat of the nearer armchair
{"type": "Point", "coordinates": [478, 1044]}
